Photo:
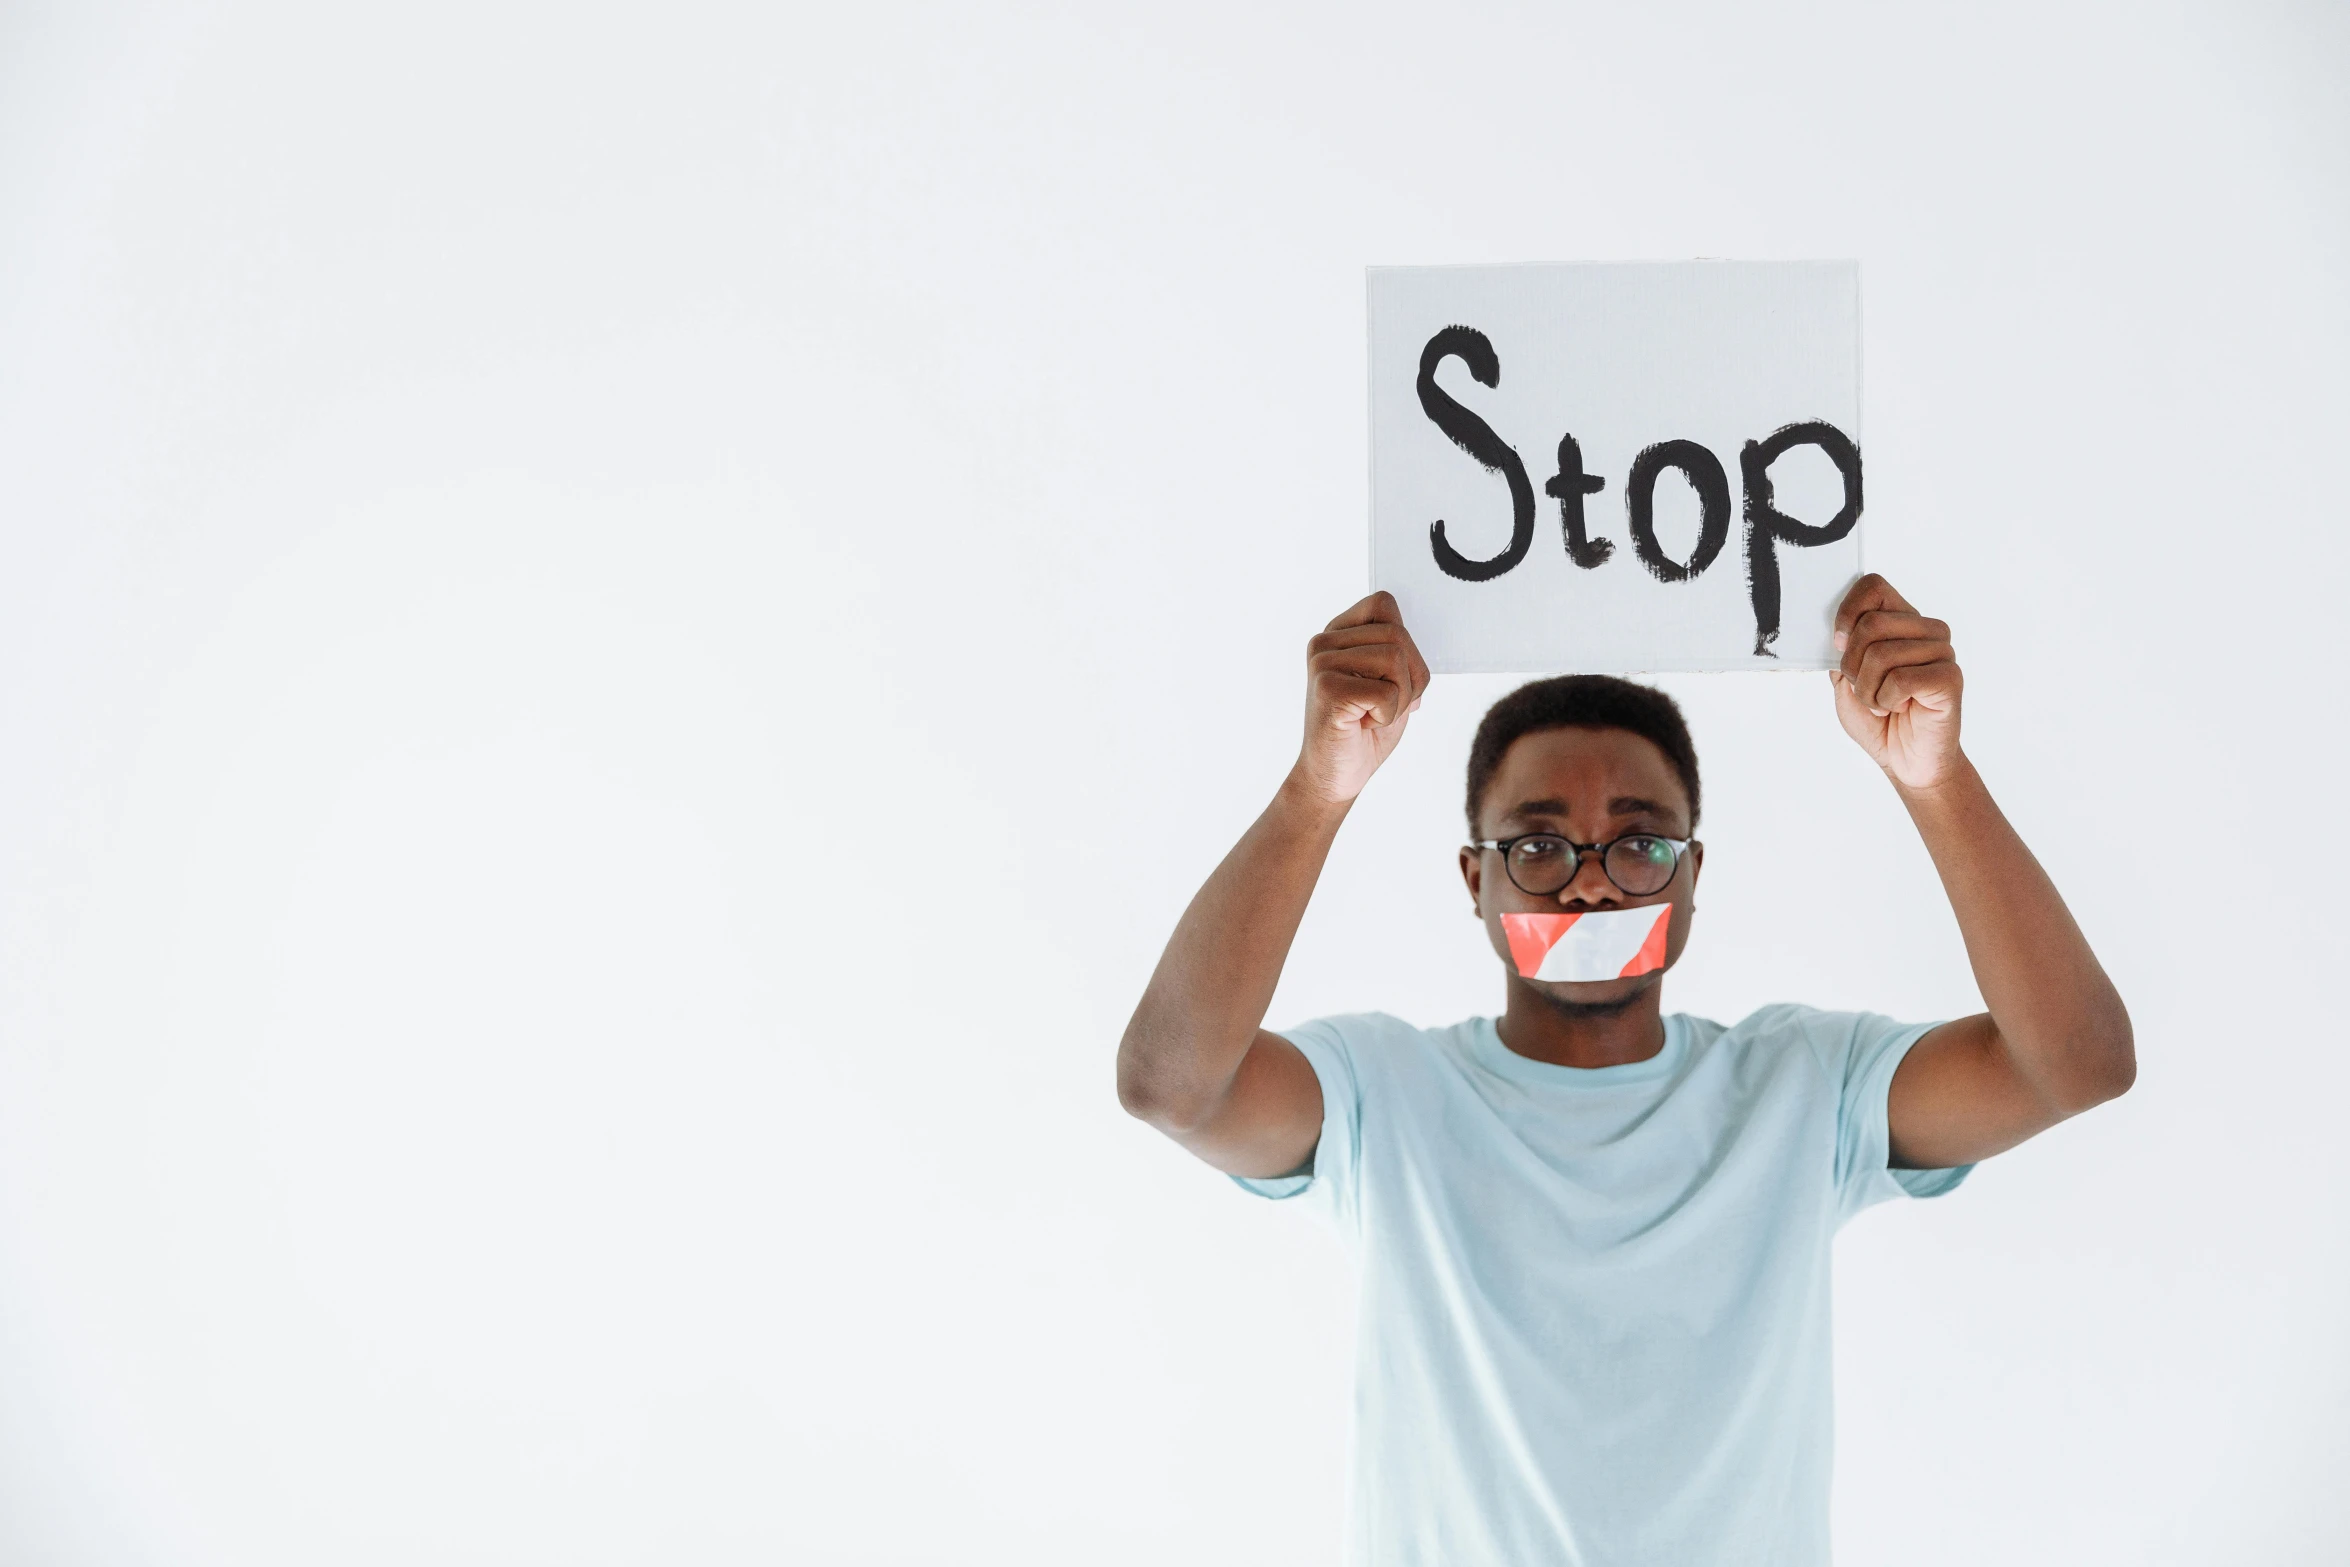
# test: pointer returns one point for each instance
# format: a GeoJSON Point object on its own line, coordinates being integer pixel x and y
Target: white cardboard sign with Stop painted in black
{"type": "Point", "coordinates": [1618, 466]}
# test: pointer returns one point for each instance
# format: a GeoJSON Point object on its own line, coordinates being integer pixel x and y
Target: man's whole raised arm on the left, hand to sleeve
{"type": "Point", "coordinates": [1195, 1061]}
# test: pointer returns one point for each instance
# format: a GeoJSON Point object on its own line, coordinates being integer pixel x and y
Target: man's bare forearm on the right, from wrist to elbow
{"type": "Point", "coordinates": [2053, 1004]}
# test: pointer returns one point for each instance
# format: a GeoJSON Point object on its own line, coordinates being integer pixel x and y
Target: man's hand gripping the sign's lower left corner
{"type": "Point", "coordinates": [1364, 680]}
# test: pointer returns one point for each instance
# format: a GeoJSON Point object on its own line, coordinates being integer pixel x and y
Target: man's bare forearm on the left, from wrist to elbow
{"type": "Point", "coordinates": [1209, 995]}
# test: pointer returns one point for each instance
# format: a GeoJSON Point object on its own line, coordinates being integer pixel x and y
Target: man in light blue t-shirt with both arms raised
{"type": "Point", "coordinates": [1594, 1237]}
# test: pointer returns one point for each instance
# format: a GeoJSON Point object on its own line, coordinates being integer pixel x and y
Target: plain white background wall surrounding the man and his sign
{"type": "Point", "coordinates": [622, 633]}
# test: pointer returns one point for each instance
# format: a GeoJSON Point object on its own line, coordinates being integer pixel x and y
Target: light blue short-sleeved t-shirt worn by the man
{"type": "Point", "coordinates": [1594, 1300]}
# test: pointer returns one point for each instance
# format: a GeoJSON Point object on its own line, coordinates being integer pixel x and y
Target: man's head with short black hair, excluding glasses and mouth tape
{"type": "Point", "coordinates": [1592, 760]}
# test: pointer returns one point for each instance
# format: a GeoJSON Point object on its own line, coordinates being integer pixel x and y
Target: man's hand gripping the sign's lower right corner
{"type": "Point", "coordinates": [1898, 687]}
